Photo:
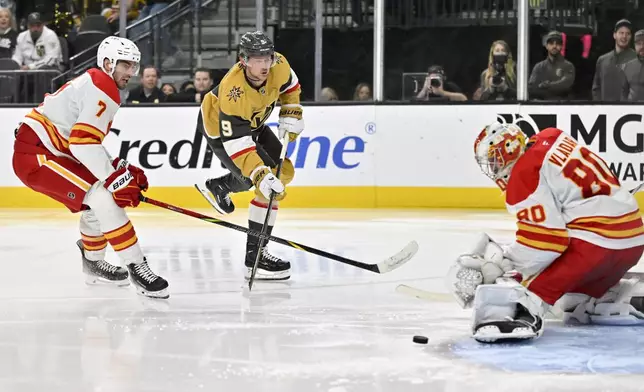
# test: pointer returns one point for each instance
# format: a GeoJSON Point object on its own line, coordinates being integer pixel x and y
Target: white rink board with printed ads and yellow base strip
{"type": "Point", "coordinates": [352, 156]}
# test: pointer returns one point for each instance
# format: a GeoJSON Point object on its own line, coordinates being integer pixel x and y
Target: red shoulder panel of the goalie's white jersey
{"type": "Point", "coordinates": [526, 173]}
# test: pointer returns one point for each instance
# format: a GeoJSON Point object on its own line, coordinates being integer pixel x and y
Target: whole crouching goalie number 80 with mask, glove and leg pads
{"type": "Point", "coordinates": [578, 233]}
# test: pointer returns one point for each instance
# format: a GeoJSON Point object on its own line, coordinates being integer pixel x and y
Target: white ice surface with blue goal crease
{"type": "Point", "coordinates": [331, 328]}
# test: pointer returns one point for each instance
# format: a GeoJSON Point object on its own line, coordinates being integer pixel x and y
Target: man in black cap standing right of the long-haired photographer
{"type": "Point", "coordinates": [552, 78]}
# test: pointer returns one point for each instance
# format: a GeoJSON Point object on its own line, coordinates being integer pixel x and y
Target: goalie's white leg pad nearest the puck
{"type": "Point", "coordinates": [506, 312]}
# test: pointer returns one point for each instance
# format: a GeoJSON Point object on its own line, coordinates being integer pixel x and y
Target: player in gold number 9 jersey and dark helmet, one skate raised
{"type": "Point", "coordinates": [232, 119]}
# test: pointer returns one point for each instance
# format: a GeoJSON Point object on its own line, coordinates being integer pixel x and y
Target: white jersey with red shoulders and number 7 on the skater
{"type": "Point", "coordinates": [73, 121]}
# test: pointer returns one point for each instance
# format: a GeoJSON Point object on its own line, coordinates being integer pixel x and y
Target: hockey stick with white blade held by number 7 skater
{"type": "Point", "coordinates": [382, 267]}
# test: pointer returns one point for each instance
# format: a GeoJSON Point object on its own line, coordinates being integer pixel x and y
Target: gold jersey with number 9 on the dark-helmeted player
{"type": "Point", "coordinates": [235, 109]}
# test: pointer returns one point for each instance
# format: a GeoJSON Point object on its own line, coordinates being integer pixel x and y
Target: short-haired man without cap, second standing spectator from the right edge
{"type": "Point", "coordinates": [609, 78]}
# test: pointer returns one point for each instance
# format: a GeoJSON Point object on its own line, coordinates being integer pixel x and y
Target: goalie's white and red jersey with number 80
{"type": "Point", "coordinates": [560, 190]}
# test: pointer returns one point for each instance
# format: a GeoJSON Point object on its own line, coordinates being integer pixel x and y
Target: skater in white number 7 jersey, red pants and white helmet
{"type": "Point", "coordinates": [59, 152]}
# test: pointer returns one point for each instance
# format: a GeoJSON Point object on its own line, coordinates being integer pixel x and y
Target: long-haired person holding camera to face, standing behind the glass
{"type": "Point", "coordinates": [498, 80]}
